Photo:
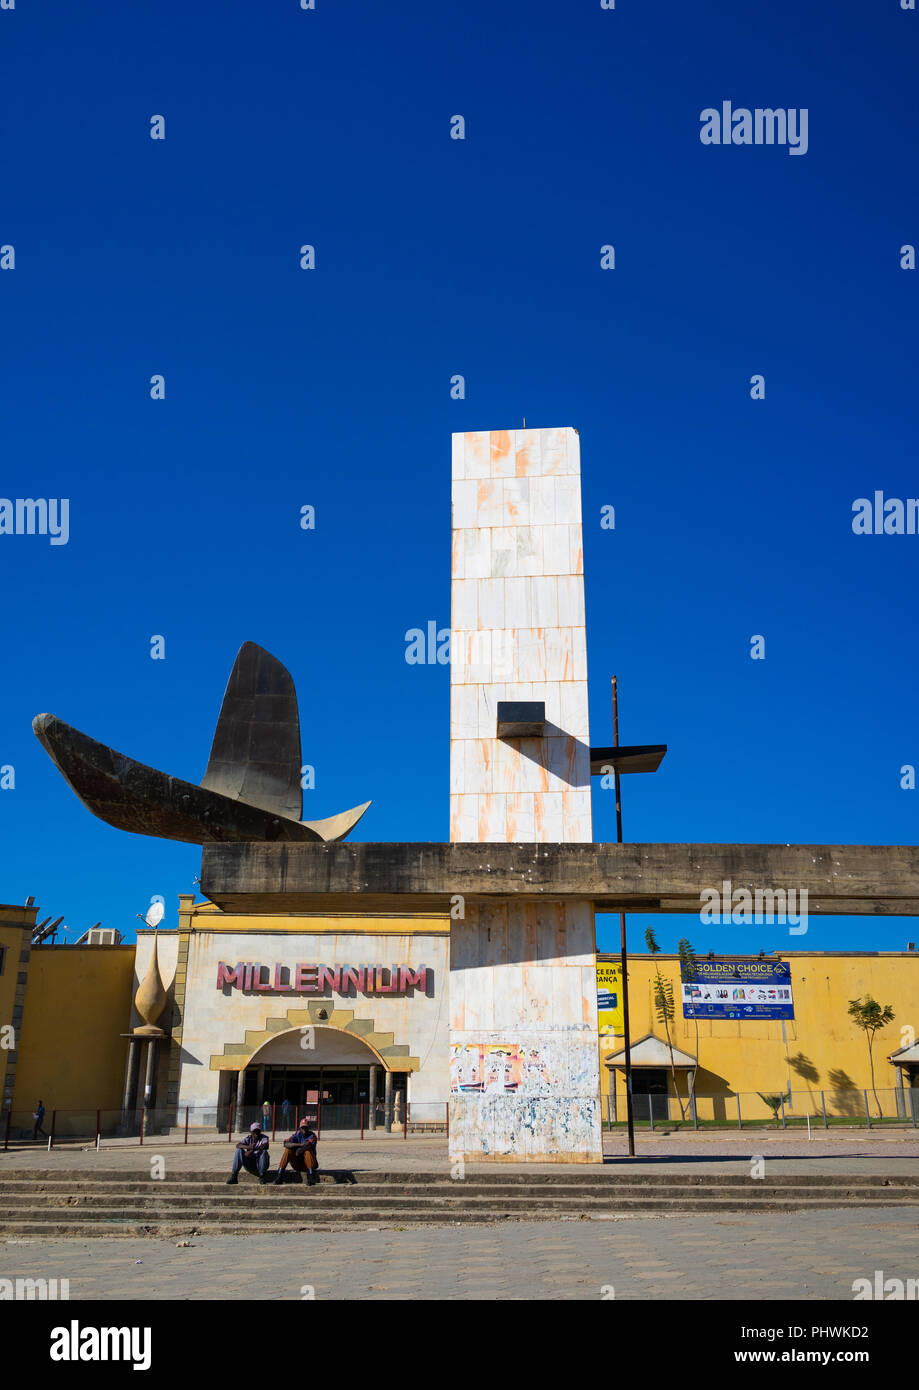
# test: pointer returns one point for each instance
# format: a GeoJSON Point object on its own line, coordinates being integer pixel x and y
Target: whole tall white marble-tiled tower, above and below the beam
{"type": "Point", "coordinates": [525, 1063]}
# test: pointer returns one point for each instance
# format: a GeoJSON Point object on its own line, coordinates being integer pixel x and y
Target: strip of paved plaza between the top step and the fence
{"type": "Point", "coordinates": [895, 1153]}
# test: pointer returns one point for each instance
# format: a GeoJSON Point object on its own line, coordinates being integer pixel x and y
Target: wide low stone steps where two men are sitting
{"type": "Point", "coordinates": [101, 1203]}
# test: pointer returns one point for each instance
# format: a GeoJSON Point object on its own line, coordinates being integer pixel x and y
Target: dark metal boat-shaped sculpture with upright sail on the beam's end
{"type": "Point", "coordinates": [251, 789]}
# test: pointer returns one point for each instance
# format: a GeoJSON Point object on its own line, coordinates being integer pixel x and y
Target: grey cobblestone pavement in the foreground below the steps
{"type": "Point", "coordinates": [802, 1256]}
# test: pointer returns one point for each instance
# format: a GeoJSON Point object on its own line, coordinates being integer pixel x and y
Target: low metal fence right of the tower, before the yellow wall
{"type": "Point", "coordinates": [865, 1109]}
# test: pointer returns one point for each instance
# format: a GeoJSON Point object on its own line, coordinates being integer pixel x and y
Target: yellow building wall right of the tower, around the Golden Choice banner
{"type": "Point", "coordinates": [817, 1060]}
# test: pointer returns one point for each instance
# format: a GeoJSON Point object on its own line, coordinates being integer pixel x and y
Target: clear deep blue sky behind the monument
{"type": "Point", "coordinates": [332, 389]}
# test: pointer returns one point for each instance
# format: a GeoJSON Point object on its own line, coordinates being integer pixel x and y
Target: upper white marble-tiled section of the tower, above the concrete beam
{"type": "Point", "coordinates": [519, 633]}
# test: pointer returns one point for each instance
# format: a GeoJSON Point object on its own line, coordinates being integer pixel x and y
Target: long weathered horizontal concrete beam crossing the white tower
{"type": "Point", "coordinates": [425, 878]}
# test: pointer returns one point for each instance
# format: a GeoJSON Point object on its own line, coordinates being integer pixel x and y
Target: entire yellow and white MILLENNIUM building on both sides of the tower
{"type": "Point", "coordinates": [237, 996]}
